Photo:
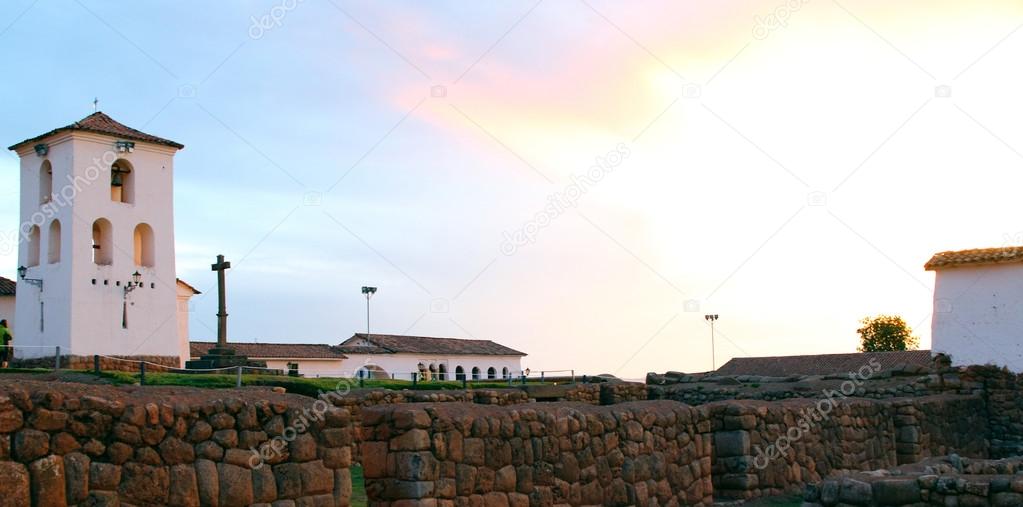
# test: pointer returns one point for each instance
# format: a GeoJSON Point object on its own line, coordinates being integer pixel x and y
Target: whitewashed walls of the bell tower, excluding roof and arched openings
{"type": "Point", "coordinates": [81, 317]}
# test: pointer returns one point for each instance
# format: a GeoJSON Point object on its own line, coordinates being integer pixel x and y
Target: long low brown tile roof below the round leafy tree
{"type": "Point", "coordinates": [823, 364]}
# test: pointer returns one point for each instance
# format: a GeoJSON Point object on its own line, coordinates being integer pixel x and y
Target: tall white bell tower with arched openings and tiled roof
{"type": "Point", "coordinates": [97, 208]}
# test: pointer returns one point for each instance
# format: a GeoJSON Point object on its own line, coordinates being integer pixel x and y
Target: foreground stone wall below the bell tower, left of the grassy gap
{"type": "Point", "coordinates": [91, 445]}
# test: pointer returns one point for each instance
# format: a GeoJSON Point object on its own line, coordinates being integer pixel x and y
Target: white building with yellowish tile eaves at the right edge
{"type": "Point", "coordinates": [978, 306]}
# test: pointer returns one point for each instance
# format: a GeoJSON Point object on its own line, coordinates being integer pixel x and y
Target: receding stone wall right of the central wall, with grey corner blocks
{"type": "Point", "coordinates": [764, 448]}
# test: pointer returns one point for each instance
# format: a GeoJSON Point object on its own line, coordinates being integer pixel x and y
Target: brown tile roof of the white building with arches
{"type": "Point", "coordinates": [393, 344]}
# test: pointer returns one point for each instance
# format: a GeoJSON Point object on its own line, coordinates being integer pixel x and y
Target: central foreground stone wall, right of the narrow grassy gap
{"type": "Point", "coordinates": [542, 454]}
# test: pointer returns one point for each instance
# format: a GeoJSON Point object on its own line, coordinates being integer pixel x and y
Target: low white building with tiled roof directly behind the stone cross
{"type": "Point", "coordinates": [309, 360]}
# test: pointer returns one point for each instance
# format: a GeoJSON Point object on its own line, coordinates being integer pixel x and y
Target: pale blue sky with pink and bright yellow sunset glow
{"type": "Point", "coordinates": [582, 180]}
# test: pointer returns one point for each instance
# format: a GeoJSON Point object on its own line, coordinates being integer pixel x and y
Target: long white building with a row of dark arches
{"type": "Point", "coordinates": [386, 356]}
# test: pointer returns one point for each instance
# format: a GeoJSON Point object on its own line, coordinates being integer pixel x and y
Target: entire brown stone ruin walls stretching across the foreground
{"type": "Point", "coordinates": [610, 444]}
